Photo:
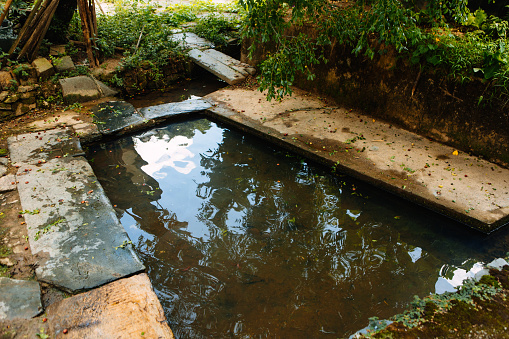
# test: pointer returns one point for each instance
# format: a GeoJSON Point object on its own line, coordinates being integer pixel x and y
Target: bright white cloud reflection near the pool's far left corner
{"type": "Point", "coordinates": [165, 152]}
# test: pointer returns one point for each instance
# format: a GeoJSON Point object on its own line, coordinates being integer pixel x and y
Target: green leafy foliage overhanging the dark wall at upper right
{"type": "Point", "coordinates": [439, 34]}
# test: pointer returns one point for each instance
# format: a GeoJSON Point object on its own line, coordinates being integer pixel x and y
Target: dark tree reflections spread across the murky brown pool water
{"type": "Point", "coordinates": [289, 252]}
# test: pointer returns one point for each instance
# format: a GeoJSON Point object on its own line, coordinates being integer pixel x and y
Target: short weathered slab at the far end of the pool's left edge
{"type": "Point", "coordinates": [43, 146]}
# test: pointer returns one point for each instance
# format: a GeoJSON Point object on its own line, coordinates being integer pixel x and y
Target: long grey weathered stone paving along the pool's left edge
{"type": "Point", "coordinates": [72, 227]}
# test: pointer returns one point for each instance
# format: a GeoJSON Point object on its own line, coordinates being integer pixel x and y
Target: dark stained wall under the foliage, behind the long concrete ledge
{"type": "Point", "coordinates": [390, 88]}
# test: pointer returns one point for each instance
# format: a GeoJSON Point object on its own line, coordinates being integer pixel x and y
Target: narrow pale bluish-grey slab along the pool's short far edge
{"type": "Point", "coordinates": [175, 108]}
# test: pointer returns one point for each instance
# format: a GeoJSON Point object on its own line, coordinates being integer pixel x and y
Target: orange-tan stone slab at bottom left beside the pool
{"type": "Point", "coordinates": [126, 308]}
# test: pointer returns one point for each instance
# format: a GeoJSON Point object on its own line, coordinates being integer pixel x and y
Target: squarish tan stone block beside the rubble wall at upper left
{"type": "Point", "coordinates": [79, 89]}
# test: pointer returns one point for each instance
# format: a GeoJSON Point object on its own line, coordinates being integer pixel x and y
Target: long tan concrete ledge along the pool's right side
{"type": "Point", "coordinates": [463, 187]}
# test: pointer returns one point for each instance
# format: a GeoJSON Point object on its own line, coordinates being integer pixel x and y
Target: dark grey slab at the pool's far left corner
{"type": "Point", "coordinates": [115, 116]}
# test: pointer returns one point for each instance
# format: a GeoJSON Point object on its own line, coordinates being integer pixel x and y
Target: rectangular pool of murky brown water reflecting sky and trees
{"type": "Point", "coordinates": [243, 239]}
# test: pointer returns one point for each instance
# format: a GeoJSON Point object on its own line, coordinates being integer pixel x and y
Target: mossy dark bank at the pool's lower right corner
{"type": "Point", "coordinates": [477, 310]}
